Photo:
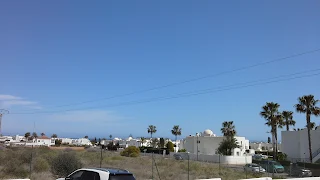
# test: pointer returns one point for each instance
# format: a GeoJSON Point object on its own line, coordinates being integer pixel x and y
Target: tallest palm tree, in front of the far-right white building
{"type": "Point", "coordinates": [308, 105]}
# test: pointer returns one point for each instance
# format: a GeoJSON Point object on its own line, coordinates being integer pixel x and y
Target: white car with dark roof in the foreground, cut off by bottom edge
{"type": "Point", "coordinates": [100, 174]}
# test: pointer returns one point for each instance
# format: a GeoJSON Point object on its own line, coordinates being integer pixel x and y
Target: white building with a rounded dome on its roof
{"type": "Point", "coordinates": [207, 143]}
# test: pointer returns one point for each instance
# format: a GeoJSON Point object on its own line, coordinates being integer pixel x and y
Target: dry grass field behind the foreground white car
{"type": "Point", "coordinates": [141, 166]}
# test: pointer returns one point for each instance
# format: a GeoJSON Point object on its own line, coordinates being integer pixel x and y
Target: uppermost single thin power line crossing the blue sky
{"type": "Point", "coordinates": [193, 79]}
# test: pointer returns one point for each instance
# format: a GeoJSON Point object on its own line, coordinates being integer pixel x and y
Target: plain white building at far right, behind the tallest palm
{"type": "Point", "coordinates": [295, 144]}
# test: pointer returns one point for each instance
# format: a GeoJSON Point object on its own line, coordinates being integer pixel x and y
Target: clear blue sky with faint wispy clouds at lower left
{"type": "Point", "coordinates": [64, 52]}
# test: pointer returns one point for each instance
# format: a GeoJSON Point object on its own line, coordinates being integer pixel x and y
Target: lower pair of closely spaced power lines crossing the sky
{"type": "Point", "coordinates": [200, 92]}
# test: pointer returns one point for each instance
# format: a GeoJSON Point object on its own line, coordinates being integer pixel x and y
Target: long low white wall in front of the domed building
{"type": "Point", "coordinates": [215, 158]}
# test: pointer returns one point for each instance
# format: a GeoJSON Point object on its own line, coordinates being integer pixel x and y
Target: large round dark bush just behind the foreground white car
{"type": "Point", "coordinates": [64, 164]}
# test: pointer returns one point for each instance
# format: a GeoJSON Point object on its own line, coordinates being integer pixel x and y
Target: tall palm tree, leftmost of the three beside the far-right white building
{"type": "Point", "coordinates": [270, 111]}
